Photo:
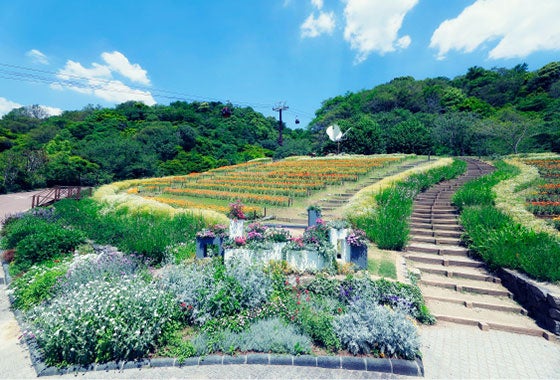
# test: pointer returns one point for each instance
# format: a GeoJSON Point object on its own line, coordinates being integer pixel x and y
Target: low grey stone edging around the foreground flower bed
{"type": "Point", "coordinates": [392, 366]}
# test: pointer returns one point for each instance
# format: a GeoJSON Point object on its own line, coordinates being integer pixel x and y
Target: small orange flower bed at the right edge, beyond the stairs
{"type": "Point", "coordinates": [545, 200]}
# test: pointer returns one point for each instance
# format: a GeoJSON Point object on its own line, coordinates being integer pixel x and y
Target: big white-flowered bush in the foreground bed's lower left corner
{"type": "Point", "coordinates": [103, 321]}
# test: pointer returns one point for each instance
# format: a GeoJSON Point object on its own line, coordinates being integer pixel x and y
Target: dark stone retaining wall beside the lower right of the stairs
{"type": "Point", "coordinates": [542, 303]}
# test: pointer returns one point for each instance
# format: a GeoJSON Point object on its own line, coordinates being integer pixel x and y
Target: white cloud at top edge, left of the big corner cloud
{"type": "Point", "coordinates": [373, 26]}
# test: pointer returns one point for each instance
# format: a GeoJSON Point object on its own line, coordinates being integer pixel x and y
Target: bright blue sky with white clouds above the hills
{"type": "Point", "coordinates": [65, 55]}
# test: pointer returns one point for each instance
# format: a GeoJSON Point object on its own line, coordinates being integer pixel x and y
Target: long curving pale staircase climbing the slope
{"type": "Point", "coordinates": [457, 287]}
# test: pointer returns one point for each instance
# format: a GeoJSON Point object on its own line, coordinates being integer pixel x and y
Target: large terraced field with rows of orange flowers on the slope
{"type": "Point", "coordinates": [261, 183]}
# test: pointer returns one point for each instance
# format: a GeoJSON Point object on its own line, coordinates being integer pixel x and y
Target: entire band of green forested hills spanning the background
{"type": "Point", "coordinates": [484, 112]}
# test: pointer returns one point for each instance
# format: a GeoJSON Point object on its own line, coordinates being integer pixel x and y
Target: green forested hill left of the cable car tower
{"type": "Point", "coordinates": [100, 145]}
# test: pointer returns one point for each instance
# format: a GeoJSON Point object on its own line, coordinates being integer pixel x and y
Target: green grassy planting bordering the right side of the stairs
{"type": "Point", "coordinates": [497, 238]}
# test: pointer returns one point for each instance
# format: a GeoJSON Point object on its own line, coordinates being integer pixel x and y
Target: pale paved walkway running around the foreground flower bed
{"type": "Point", "coordinates": [449, 350]}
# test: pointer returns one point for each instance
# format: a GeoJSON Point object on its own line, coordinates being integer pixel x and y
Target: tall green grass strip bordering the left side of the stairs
{"type": "Point", "coordinates": [387, 223]}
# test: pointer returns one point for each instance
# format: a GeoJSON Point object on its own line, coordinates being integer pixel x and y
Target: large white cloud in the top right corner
{"type": "Point", "coordinates": [521, 27]}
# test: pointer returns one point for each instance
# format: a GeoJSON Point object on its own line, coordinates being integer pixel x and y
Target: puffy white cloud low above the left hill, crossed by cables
{"type": "Point", "coordinates": [98, 80]}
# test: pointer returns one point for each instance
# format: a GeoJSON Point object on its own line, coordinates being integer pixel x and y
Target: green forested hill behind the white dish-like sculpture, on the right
{"type": "Point", "coordinates": [495, 111]}
